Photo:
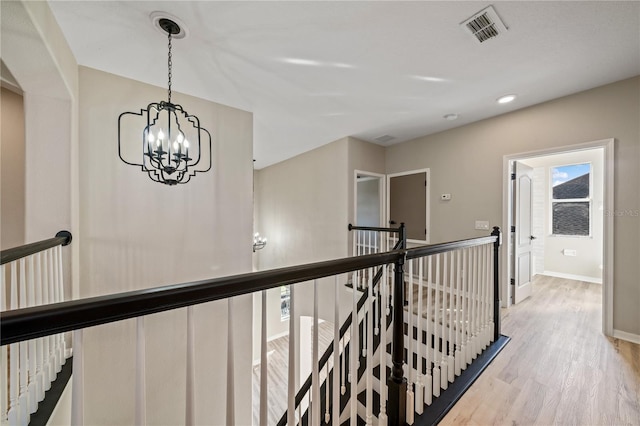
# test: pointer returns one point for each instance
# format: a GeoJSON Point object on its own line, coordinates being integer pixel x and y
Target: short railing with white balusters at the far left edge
{"type": "Point", "coordinates": [30, 275]}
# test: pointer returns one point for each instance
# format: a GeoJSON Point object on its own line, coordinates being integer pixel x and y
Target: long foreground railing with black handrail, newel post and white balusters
{"type": "Point", "coordinates": [23, 324]}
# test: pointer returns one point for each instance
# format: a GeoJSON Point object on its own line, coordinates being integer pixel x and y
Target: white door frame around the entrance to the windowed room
{"type": "Point", "coordinates": [607, 274]}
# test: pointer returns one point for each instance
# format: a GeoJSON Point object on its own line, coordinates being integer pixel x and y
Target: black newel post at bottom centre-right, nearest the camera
{"type": "Point", "coordinates": [397, 403]}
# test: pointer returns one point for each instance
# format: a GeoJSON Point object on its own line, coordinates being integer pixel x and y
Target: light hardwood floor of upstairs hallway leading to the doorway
{"type": "Point", "coordinates": [558, 368]}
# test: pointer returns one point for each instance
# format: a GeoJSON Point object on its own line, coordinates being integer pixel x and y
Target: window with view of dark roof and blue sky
{"type": "Point", "coordinates": [571, 200]}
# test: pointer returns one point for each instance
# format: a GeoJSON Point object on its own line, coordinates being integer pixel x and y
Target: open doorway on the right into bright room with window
{"type": "Point", "coordinates": [568, 236]}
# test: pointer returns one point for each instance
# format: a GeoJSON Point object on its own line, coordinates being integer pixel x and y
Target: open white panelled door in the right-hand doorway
{"type": "Point", "coordinates": [522, 209]}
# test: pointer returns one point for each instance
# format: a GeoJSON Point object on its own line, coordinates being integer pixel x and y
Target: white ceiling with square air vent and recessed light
{"type": "Point", "coordinates": [369, 58]}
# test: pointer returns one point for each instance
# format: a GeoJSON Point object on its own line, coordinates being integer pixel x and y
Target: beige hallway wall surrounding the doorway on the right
{"type": "Point", "coordinates": [467, 162]}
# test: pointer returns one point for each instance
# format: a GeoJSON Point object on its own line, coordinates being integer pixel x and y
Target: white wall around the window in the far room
{"type": "Point", "coordinates": [588, 261]}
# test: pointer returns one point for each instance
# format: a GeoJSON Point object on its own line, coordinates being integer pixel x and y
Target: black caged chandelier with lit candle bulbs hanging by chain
{"type": "Point", "coordinates": [172, 139]}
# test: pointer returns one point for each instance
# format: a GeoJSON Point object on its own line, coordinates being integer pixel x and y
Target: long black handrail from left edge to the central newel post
{"type": "Point", "coordinates": [38, 321]}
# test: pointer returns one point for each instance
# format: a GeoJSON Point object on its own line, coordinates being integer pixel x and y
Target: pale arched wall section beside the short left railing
{"type": "Point", "coordinates": [48, 77]}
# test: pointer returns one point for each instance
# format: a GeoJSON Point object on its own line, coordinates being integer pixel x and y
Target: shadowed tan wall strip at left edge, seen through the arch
{"type": "Point", "coordinates": [12, 170]}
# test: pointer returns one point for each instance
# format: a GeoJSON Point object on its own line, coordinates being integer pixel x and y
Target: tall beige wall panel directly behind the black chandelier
{"type": "Point", "coordinates": [136, 233]}
